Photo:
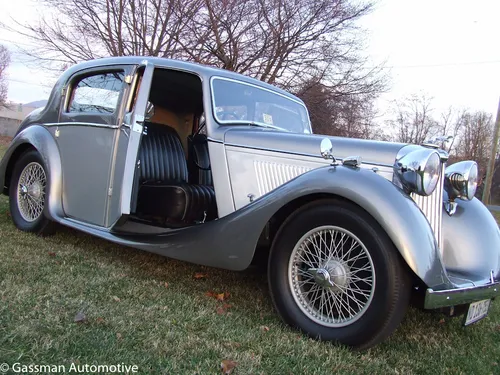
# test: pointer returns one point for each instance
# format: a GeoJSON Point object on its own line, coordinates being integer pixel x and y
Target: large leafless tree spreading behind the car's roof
{"type": "Point", "coordinates": [284, 42]}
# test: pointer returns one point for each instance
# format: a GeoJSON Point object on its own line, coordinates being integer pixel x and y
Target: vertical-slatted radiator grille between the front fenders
{"type": "Point", "coordinates": [432, 207]}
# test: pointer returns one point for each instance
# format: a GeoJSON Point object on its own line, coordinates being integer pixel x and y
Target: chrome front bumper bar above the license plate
{"type": "Point", "coordinates": [435, 299]}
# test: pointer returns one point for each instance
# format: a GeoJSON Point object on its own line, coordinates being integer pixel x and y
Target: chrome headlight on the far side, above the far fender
{"type": "Point", "coordinates": [461, 180]}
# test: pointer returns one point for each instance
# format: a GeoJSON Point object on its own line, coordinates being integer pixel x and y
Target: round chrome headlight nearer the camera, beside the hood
{"type": "Point", "coordinates": [419, 170]}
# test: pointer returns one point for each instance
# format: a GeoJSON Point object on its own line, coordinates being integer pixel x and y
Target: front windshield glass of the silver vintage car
{"type": "Point", "coordinates": [242, 103]}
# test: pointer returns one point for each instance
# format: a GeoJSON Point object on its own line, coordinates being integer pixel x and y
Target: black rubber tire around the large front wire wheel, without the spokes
{"type": "Point", "coordinates": [390, 290]}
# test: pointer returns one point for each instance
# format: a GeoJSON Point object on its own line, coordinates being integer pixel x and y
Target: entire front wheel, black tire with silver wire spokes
{"type": "Point", "coordinates": [335, 274]}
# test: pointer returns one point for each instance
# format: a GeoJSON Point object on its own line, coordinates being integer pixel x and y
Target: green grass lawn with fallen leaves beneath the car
{"type": "Point", "coordinates": [146, 310]}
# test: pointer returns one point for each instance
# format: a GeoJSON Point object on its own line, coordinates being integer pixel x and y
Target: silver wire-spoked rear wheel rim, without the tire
{"type": "Point", "coordinates": [31, 191]}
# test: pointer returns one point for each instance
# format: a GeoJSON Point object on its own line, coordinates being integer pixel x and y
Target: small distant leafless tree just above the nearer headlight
{"type": "Point", "coordinates": [413, 119]}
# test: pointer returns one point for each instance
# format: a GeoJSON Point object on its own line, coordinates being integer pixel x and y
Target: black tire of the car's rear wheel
{"type": "Point", "coordinates": [40, 224]}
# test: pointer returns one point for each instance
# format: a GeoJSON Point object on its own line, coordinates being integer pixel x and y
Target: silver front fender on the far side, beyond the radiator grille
{"type": "Point", "coordinates": [471, 242]}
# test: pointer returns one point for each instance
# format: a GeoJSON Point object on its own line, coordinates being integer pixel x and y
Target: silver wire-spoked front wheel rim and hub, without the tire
{"type": "Point", "coordinates": [331, 275]}
